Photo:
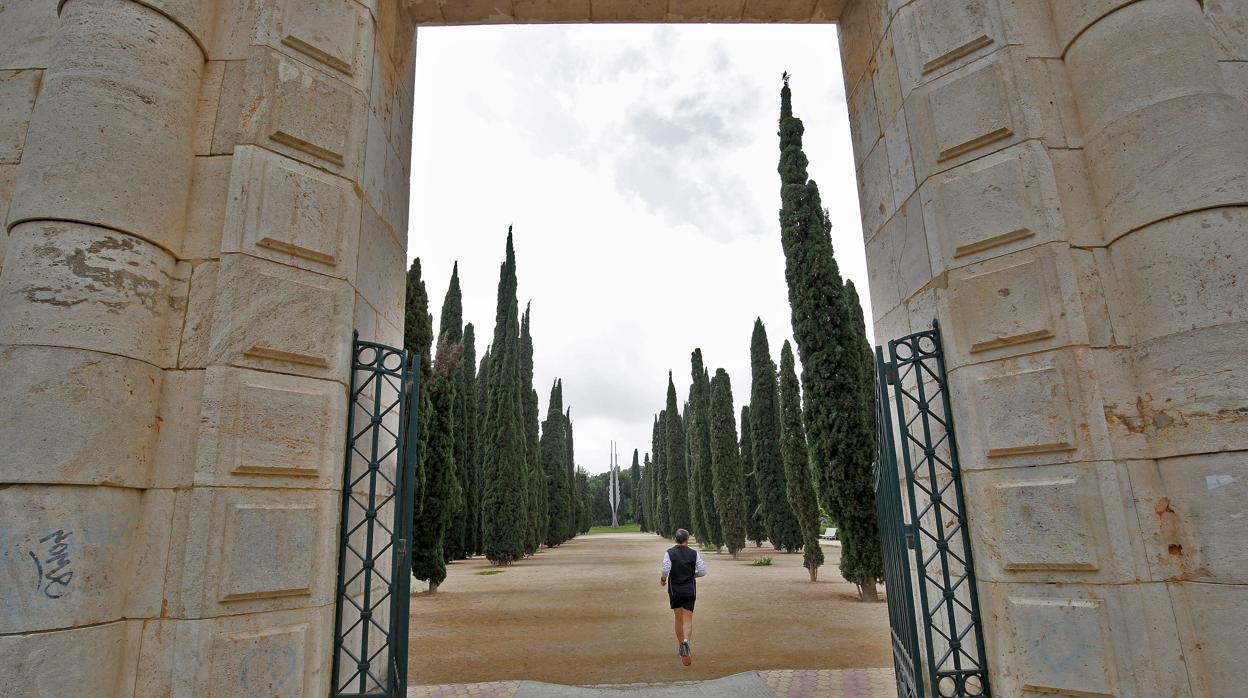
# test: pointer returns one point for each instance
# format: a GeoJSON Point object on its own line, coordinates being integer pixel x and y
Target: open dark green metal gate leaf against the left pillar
{"type": "Point", "coordinates": [380, 478]}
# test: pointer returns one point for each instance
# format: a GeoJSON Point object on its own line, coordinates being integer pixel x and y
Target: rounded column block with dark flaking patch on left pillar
{"type": "Point", "coordinates": [89, 288]}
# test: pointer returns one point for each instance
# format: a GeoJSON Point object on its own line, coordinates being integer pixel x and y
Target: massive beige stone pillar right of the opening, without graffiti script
{"type": "Point", "coordinates": [1063, 187]}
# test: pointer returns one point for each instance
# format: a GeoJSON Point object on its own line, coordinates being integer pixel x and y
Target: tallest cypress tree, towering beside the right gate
{"type": "Point", "coordinates": [831, 359]}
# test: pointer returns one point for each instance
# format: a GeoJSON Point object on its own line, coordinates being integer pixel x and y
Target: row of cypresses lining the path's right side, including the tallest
{"type": "Point", "coordinates": [803, 445]}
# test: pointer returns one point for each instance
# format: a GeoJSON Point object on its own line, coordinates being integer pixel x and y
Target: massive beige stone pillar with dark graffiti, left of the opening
{"type": "Point", "coordinates": [212, 197]}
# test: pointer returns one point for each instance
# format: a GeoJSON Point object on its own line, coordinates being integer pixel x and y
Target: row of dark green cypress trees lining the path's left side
{"type": "Point", "coordinates": [496, 483]}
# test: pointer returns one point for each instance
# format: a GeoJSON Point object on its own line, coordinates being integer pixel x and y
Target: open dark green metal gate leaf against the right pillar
{"type": "Point", "coordinates": [917, 423]}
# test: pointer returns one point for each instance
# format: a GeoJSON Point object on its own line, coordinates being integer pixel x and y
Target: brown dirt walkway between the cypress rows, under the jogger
{"type": "Point", "coordinates": [592, 612]}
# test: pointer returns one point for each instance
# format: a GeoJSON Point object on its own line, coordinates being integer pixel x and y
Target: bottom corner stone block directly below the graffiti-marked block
{"type": "Point", "coordinates": [66, 662]}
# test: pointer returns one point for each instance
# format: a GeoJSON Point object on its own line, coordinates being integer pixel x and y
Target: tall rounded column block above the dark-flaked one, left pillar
{"type": "Point", "coordinates": [115, 99]}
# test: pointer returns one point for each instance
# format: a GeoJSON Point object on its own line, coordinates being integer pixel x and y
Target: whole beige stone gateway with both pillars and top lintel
{"type": "Point", "coordinates": [1064, 184]}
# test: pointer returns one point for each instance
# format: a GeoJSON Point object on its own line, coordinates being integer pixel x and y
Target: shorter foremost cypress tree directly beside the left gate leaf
{"type": "Point", "coordinates": [442, 485]}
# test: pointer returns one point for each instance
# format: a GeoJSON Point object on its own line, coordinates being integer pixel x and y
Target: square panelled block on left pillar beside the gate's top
{"type": "Point", "coordinates": [280, 319]}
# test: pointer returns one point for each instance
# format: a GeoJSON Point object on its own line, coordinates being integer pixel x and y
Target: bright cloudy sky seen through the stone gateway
{"type": "Point", "coordinates": [638, 165]}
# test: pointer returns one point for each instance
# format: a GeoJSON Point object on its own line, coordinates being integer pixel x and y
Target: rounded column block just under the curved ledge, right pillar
{"type": "Point", "coordinates": [1182, 274]}
